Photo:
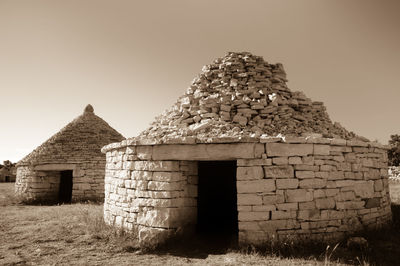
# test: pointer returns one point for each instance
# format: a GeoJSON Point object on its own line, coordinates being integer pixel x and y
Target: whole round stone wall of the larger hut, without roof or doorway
{"type": "Point", "coordinates": [312, 188]}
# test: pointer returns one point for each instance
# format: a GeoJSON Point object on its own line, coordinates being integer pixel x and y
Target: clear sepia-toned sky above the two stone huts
{"type": "Point", "coordinates": [132, 59]}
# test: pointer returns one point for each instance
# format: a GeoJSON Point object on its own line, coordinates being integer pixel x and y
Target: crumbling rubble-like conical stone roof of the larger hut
{"type": "Point", "coordinates": [241, 95]}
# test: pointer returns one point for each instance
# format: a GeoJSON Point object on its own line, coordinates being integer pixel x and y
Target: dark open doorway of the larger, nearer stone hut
{"type": "Point", "coordinates": [217, 201]}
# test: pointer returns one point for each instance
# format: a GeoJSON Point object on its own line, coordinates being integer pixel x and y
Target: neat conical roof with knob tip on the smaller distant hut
{"type": "Point", "coordinates": [80, 139]}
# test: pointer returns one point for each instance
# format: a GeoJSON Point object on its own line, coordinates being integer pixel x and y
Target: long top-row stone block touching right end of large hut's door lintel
{"type": "Point", "coordinates": [284, 149]}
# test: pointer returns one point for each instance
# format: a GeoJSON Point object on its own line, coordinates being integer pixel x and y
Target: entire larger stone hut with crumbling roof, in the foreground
{"type": "Point", "coordinates": [241, 155]}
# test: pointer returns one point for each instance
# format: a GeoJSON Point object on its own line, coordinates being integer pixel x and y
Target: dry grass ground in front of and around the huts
{"type": "Point", "coordinates": [75, 234]}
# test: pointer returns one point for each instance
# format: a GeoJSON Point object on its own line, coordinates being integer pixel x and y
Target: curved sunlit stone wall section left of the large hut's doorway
{"type": "Point", "coordinates": [154, 198]}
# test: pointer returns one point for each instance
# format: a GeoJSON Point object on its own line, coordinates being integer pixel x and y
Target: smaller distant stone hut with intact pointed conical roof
{"type": "Point", "coordinates": [69, 166]}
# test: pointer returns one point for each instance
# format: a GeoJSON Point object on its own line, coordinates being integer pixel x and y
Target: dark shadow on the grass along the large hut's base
{"type": "Point", "coordinates": [383, 247]}
